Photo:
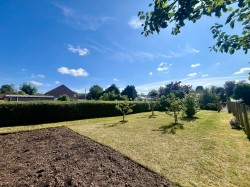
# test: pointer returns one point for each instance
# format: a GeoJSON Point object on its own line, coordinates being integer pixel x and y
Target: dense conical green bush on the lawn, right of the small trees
{"type": "Point", "coordinates": [190, 105]}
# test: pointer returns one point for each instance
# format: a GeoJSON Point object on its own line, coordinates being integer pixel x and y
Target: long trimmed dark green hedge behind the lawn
{"type": "Point", "coordinates": [25, 113]}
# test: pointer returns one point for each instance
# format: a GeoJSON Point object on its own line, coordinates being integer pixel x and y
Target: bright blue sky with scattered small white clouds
{"type": "Point", "coordinates": [82, 43]}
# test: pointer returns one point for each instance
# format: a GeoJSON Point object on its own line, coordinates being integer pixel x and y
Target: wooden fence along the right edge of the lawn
{"type": "Point", "coordinates": [242, 114]}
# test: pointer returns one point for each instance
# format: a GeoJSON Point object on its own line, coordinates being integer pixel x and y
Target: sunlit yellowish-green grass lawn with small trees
{"type": "Point", "coordinates": [202, 152]}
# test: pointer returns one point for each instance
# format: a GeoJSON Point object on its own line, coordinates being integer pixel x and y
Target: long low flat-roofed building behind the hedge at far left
{"type": "Point", "coordinates": [28, 98]}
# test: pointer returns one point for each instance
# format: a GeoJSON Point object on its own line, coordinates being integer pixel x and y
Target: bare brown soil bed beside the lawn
{"type": "Point", "coordinates": [61, 157]}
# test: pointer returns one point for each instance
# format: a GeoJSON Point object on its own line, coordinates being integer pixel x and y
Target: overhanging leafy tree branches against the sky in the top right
{"type": "Point", "coordinates": [178, 11]}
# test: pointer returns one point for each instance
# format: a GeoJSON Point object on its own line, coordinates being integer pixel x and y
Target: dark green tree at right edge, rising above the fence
{"type": "Point", "coordinates": [242, 91]}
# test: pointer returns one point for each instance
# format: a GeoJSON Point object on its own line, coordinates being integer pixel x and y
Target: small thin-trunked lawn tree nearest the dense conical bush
{"type": "Point", "coordinates": [175, 106]}
